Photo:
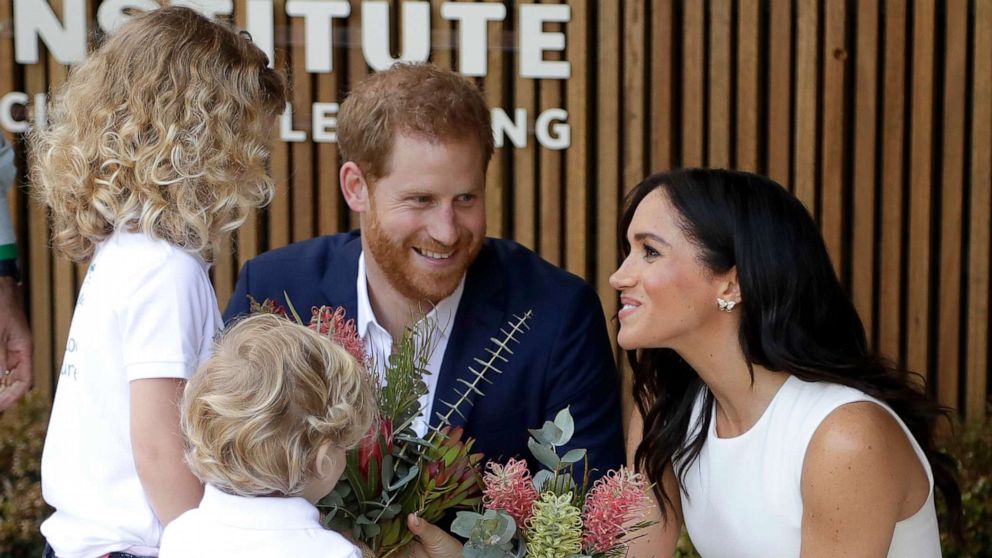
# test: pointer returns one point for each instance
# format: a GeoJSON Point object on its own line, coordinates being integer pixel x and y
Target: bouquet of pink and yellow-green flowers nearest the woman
{"type": "Point", "coordinates": [549, 515]}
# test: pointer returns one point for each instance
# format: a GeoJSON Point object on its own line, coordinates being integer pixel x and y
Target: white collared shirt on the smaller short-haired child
{"type": "Point", "coordinates": [227, 525]}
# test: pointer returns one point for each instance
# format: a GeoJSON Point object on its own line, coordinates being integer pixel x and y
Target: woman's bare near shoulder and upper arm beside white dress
{"type": "Point", "coordinates": [860, 476]}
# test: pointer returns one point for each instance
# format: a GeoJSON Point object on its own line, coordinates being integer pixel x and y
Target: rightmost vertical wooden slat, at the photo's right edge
{"type": "Point", "coordinates": [977, 367]}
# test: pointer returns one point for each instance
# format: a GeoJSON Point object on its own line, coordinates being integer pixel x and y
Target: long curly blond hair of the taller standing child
{"type": "Point", "coordinates": [163, 129]}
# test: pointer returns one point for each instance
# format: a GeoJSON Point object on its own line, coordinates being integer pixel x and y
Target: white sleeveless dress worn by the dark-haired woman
{"type": "Point", "coordinates": [744, 493]}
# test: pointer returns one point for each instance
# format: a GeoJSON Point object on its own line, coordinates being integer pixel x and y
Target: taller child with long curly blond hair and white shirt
{"type": "Point", "coordinates": [156, 147]}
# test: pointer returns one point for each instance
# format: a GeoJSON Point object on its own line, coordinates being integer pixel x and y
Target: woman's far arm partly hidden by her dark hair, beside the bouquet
{"type": "Point", "coordinates": [658, 540]}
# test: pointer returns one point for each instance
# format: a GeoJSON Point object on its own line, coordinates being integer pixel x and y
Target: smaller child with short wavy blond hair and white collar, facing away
{"type": "Point", "coordinates": [267, 421]}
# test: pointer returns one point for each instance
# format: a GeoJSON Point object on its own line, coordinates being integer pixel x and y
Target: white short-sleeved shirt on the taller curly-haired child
{"type": "Point", "coordinates": [145, 310]}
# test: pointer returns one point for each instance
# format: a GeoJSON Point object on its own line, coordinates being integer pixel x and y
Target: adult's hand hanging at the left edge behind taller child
{"type": "Point", "coordinates": [15, 346]}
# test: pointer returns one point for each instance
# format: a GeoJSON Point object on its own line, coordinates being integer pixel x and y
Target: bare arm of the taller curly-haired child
{"type": "Point", "coordinates": [157, 444]}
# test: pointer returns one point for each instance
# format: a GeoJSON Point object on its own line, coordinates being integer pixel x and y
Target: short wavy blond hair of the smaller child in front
{"type": "Point", "coordinates": [256, 412]}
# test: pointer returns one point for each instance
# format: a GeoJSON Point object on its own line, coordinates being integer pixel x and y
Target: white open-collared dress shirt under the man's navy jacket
{"type": "Point", "coordinates": [379, 343]}
